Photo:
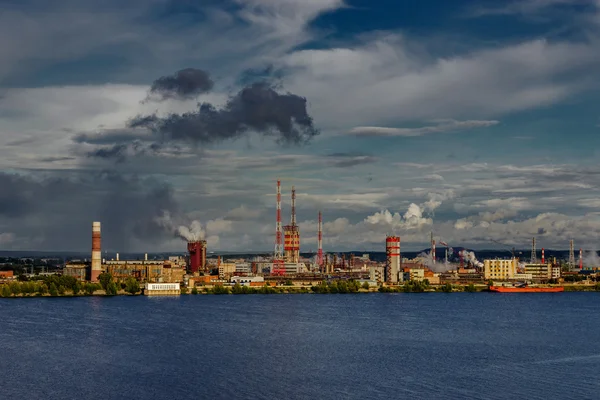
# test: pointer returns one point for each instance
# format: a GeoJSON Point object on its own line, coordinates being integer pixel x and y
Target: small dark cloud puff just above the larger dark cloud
{"type": "Point", "coordinates": [185, 84]}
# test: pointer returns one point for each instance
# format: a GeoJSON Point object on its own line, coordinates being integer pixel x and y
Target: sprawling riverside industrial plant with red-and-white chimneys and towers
{"type": "Point", "coordinates": [287, 265]}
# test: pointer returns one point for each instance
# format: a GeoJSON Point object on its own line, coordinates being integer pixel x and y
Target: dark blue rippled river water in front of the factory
{"type": "Point", "coordinates": [363, 346]}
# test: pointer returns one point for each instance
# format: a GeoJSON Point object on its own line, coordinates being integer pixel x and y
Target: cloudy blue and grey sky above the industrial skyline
{"type": "Point", "coordinates": [475, 120]}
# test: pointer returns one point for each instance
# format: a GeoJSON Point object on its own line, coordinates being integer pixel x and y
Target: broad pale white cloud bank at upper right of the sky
{"type": "Point", "coordinates": [404, 85]}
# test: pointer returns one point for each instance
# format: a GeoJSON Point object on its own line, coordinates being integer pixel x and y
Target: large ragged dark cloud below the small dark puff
{"type": "Point", "coordinates": [255, 108]}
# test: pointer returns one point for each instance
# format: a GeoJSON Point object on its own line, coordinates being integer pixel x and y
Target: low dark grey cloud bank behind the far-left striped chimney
{"type": "Point", "coordinates": [59, 211]}
